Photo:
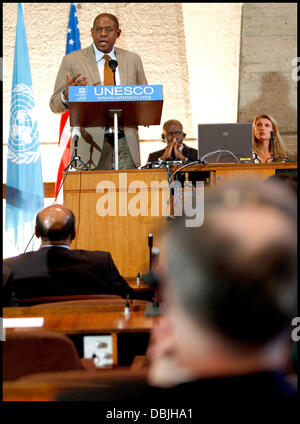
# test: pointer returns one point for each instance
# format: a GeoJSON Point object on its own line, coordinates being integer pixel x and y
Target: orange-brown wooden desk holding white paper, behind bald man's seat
{"type": "Point", "coordinates": [80, 320]}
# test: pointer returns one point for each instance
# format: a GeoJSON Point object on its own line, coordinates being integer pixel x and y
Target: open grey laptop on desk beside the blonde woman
{"type": "Point", "coordinates": [225, 143]}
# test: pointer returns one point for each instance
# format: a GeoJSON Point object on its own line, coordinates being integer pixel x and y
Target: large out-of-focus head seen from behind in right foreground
{"type": "Point", "coordinates": [235, 275]}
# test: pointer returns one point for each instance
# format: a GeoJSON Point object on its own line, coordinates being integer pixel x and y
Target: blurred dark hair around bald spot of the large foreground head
{"type": "Point", "coordinates": [249, 298]}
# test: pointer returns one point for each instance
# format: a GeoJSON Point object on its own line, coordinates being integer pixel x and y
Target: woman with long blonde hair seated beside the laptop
{"type": "Point", "coordinates": [263, 126]}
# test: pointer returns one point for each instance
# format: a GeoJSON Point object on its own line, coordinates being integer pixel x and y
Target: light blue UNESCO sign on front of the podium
{"type": "Point", "coordinates": [115, 93]}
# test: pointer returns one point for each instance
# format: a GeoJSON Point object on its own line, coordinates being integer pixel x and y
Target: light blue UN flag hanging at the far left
{"type": "Point", "coordinates": [24, 184]}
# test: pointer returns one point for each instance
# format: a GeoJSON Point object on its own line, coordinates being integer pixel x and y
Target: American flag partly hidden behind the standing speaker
{"type": "Point", "coordinates": [73, 44]}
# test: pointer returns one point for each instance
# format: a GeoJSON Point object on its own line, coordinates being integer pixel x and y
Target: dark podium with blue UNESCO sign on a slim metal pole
{"type": "Point", "coordinates": [114, 106]}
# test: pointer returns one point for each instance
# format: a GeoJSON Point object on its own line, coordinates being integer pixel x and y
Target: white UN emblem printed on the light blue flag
{"type": "Point", "coordinates": [23, 145]}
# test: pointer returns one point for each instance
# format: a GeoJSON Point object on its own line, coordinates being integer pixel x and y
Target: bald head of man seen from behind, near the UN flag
{"type": "Point", "coordinates": [55, 225]}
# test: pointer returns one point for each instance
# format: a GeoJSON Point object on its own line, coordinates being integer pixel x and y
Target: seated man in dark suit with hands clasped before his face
{"type": "Point", "coordinates": [175, 150]}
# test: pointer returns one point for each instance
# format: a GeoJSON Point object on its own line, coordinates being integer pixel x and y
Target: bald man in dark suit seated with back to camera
{"type": "Point", "coordinates": [55, 269]}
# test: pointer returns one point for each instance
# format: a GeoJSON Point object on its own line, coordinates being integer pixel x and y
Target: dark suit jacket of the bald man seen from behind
{"type": "Point", "coordinates": [54, 271]}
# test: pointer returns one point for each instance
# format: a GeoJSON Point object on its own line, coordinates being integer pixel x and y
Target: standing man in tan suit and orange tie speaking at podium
{"type": "Point", "coordinates": [90, 66]}
